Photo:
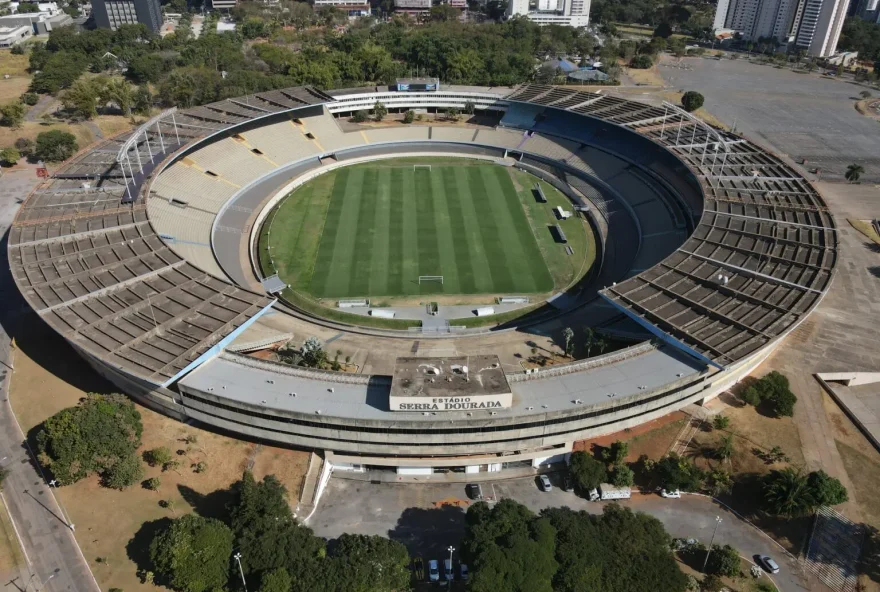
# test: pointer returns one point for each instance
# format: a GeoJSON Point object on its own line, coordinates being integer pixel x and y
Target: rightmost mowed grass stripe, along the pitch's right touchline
{"type": "Point", "coordinates": [524, 258]}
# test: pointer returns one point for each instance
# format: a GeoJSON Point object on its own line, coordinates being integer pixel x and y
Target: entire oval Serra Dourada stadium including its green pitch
{"type": "Point", "coordinates": [169, 255]}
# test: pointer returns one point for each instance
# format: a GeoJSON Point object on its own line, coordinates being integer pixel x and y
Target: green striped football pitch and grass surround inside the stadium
{"type": "Point", "coordinates": [371, 230]}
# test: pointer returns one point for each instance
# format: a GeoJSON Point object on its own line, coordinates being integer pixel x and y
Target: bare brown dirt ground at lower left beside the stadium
{"type": "Point", "coordinates": [110, 524]}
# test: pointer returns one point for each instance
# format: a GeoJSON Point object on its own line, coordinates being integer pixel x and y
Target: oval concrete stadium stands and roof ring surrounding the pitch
{"type": "Point", "coordinates": [140, 252]}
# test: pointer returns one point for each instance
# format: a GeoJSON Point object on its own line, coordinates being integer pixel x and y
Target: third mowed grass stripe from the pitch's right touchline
{"type": "Point", "coordinates": [467, 227]}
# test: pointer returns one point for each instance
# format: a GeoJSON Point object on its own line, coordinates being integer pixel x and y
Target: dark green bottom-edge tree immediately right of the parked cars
{"type": "Point", "coordinates": [509, 548]}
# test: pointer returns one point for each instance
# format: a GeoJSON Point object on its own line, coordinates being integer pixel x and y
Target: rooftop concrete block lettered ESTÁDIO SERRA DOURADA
{"type": "Point", "coordinates": [465, 383]}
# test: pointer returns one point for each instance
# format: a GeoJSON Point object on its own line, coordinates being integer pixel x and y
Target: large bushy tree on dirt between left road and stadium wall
{"type": "Point", "coordinates": [100, 435]}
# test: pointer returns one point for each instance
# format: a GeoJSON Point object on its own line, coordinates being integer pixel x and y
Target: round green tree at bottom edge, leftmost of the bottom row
{"type": "Point", "coordinates": [193, 554]}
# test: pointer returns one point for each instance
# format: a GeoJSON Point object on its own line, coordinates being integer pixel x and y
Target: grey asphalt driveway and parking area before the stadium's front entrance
{"type": "Point", "coordinates": [412, 514]}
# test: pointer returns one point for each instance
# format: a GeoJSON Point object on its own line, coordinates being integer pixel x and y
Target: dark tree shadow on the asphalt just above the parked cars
{"type": "Point", "coordinates": [428, 532]}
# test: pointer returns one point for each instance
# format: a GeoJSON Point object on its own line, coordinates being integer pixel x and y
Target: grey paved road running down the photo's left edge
{"type": "Point", "coordinates": [53, 557]}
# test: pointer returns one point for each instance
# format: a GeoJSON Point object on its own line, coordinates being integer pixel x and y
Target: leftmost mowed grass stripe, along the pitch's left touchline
{"type": "Point", "coordinates": [337, 283]}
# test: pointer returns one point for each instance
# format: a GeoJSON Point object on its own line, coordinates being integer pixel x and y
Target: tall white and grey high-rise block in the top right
{"type": "Point", "coordinates": [811, 25]}
